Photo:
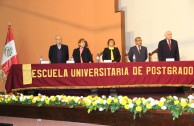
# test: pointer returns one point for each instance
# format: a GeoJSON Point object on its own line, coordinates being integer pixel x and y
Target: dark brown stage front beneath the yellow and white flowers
{"type": "Point", "coordinates": [79, 114]}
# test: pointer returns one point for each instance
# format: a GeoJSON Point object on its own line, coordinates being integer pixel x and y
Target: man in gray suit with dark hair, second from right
{"type": "Point", "coordinates": [138, 53]}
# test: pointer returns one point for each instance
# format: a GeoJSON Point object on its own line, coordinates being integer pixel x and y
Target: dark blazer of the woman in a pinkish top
{"type": "Point", "coordinates": [86, 55]}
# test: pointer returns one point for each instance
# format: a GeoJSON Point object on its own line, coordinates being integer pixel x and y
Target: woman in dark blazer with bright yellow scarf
{"type": "Point", "coordinates": [111, 50]}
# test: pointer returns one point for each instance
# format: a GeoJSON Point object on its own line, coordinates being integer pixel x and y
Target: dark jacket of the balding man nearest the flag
{"type": "Point", "coordinates": [53, 53]}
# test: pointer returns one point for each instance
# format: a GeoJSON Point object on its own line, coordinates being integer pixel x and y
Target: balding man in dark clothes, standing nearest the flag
{"type": "Point", "coordinates": [58, 53]}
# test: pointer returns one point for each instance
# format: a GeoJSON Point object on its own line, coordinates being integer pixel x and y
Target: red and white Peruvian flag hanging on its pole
{"type": "Point", "coordinates": [9, 53]}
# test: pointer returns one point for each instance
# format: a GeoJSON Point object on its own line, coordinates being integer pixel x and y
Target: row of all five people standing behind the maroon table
{"type": "Point", "coordinates": [167, 48]}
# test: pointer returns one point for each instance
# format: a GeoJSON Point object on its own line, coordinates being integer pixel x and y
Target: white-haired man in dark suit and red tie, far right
{"type": "Point", "coordinates": [168, 48]}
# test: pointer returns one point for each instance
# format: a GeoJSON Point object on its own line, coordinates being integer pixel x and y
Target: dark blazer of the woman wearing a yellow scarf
{"type": "Point", "coordinates": [107, 54]}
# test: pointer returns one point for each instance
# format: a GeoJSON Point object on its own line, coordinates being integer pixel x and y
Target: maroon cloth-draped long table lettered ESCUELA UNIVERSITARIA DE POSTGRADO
{"type": "Point", "coordinates": [100, 75]}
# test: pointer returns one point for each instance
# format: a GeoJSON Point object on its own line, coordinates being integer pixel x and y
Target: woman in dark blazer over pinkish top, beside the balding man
{"type": "Point", "coordinates": [82, 54]}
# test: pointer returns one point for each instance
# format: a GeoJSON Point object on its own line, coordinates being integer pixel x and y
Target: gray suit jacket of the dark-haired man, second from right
{"type": "Point", "coordinates": [140, 57]}
